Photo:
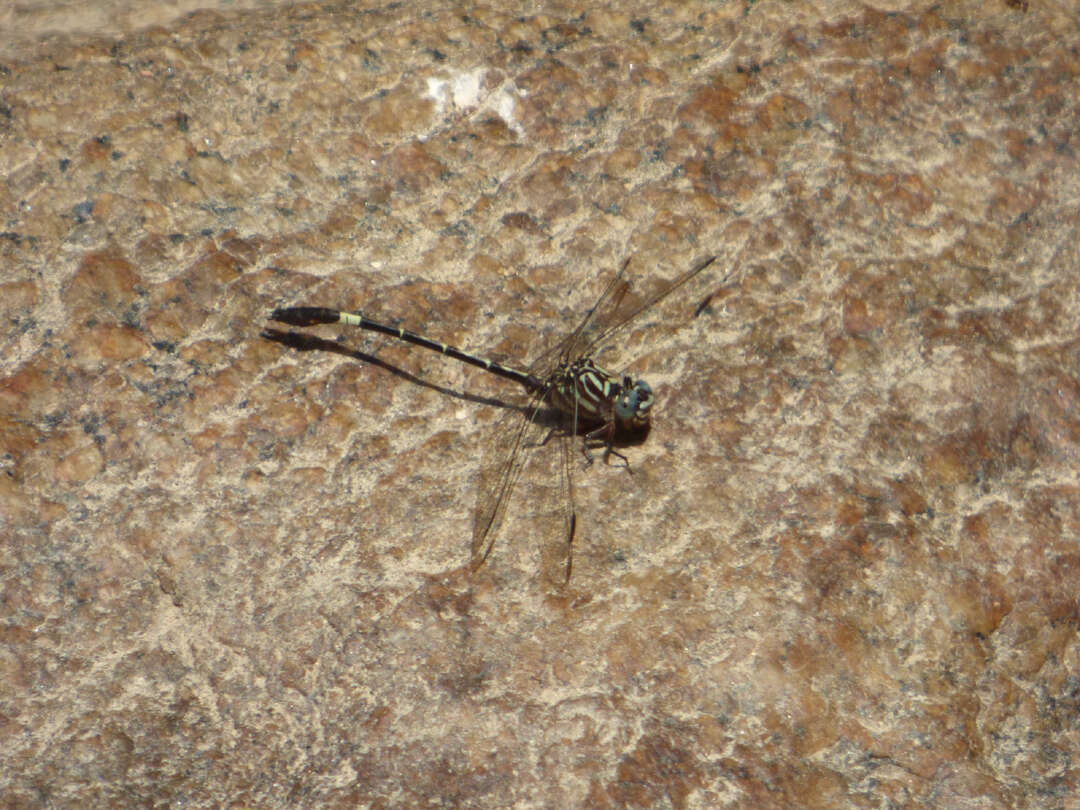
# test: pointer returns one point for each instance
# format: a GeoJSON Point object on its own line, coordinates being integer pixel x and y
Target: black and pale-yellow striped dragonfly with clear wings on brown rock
{"type": "Point", "coordinates": [606, 410]}
